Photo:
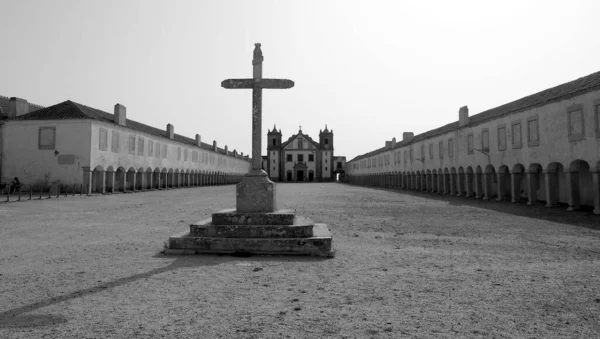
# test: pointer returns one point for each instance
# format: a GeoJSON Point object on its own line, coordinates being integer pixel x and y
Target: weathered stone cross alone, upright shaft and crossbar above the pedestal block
{"type": "Point", "coordinates": [257, 83]}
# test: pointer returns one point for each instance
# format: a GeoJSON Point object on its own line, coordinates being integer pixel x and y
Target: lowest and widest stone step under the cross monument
{"type": "Point", "coordinates": [320, 244]}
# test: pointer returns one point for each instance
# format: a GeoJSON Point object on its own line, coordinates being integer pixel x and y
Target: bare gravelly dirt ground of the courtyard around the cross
{"type": "Point", "coordinates": [408, 265]}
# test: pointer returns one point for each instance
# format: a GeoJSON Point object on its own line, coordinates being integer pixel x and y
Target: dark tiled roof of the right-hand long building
{"type": "Point", "coordinates": [561, 92]}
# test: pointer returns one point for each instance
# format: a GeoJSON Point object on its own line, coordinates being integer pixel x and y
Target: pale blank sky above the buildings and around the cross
{"type": "Point", "coordinates": [370, 70]}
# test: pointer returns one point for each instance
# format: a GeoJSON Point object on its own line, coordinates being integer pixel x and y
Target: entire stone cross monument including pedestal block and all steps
{"type": "Point", "coordinates": [255, 226]}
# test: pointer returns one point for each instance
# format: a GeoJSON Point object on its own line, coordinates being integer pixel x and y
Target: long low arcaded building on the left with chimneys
{"type": "Point", "coordinates": [70, 143]}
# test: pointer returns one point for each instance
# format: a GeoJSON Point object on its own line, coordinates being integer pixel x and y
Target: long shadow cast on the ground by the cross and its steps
{"type": "Point", "coordinates": [15, 318]}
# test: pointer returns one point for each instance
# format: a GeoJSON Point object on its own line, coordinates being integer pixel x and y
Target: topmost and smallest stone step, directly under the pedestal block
{"type": "Point", "coordinates": [232, 217]}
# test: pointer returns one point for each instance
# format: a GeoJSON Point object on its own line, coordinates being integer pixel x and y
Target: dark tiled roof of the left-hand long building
{"type": "Point", "coordinates": [69, 110]}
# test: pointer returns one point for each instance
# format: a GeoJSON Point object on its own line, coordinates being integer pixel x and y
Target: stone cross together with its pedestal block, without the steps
{"type": "Point", "coordinates": [256, 193]}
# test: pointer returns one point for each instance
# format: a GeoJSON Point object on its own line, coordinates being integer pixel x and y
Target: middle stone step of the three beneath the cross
{"type": "Point", "coordinates": [301, 228]}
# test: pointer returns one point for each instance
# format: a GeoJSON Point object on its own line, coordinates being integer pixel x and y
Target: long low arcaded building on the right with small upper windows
{"type": "Point", "coordinates": [541, 148]}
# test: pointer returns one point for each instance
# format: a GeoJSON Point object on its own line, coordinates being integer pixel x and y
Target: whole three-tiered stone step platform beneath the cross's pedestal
{"type": "Point", "coordinates": [280, 232]}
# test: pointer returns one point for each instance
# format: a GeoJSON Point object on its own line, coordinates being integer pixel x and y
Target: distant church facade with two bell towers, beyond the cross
{"type": "Point", "coordinates": [300, 158]}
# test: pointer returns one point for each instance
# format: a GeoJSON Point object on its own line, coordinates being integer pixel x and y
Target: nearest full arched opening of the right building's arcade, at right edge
{"type": "Point", "coordinates": [581, 186]}
